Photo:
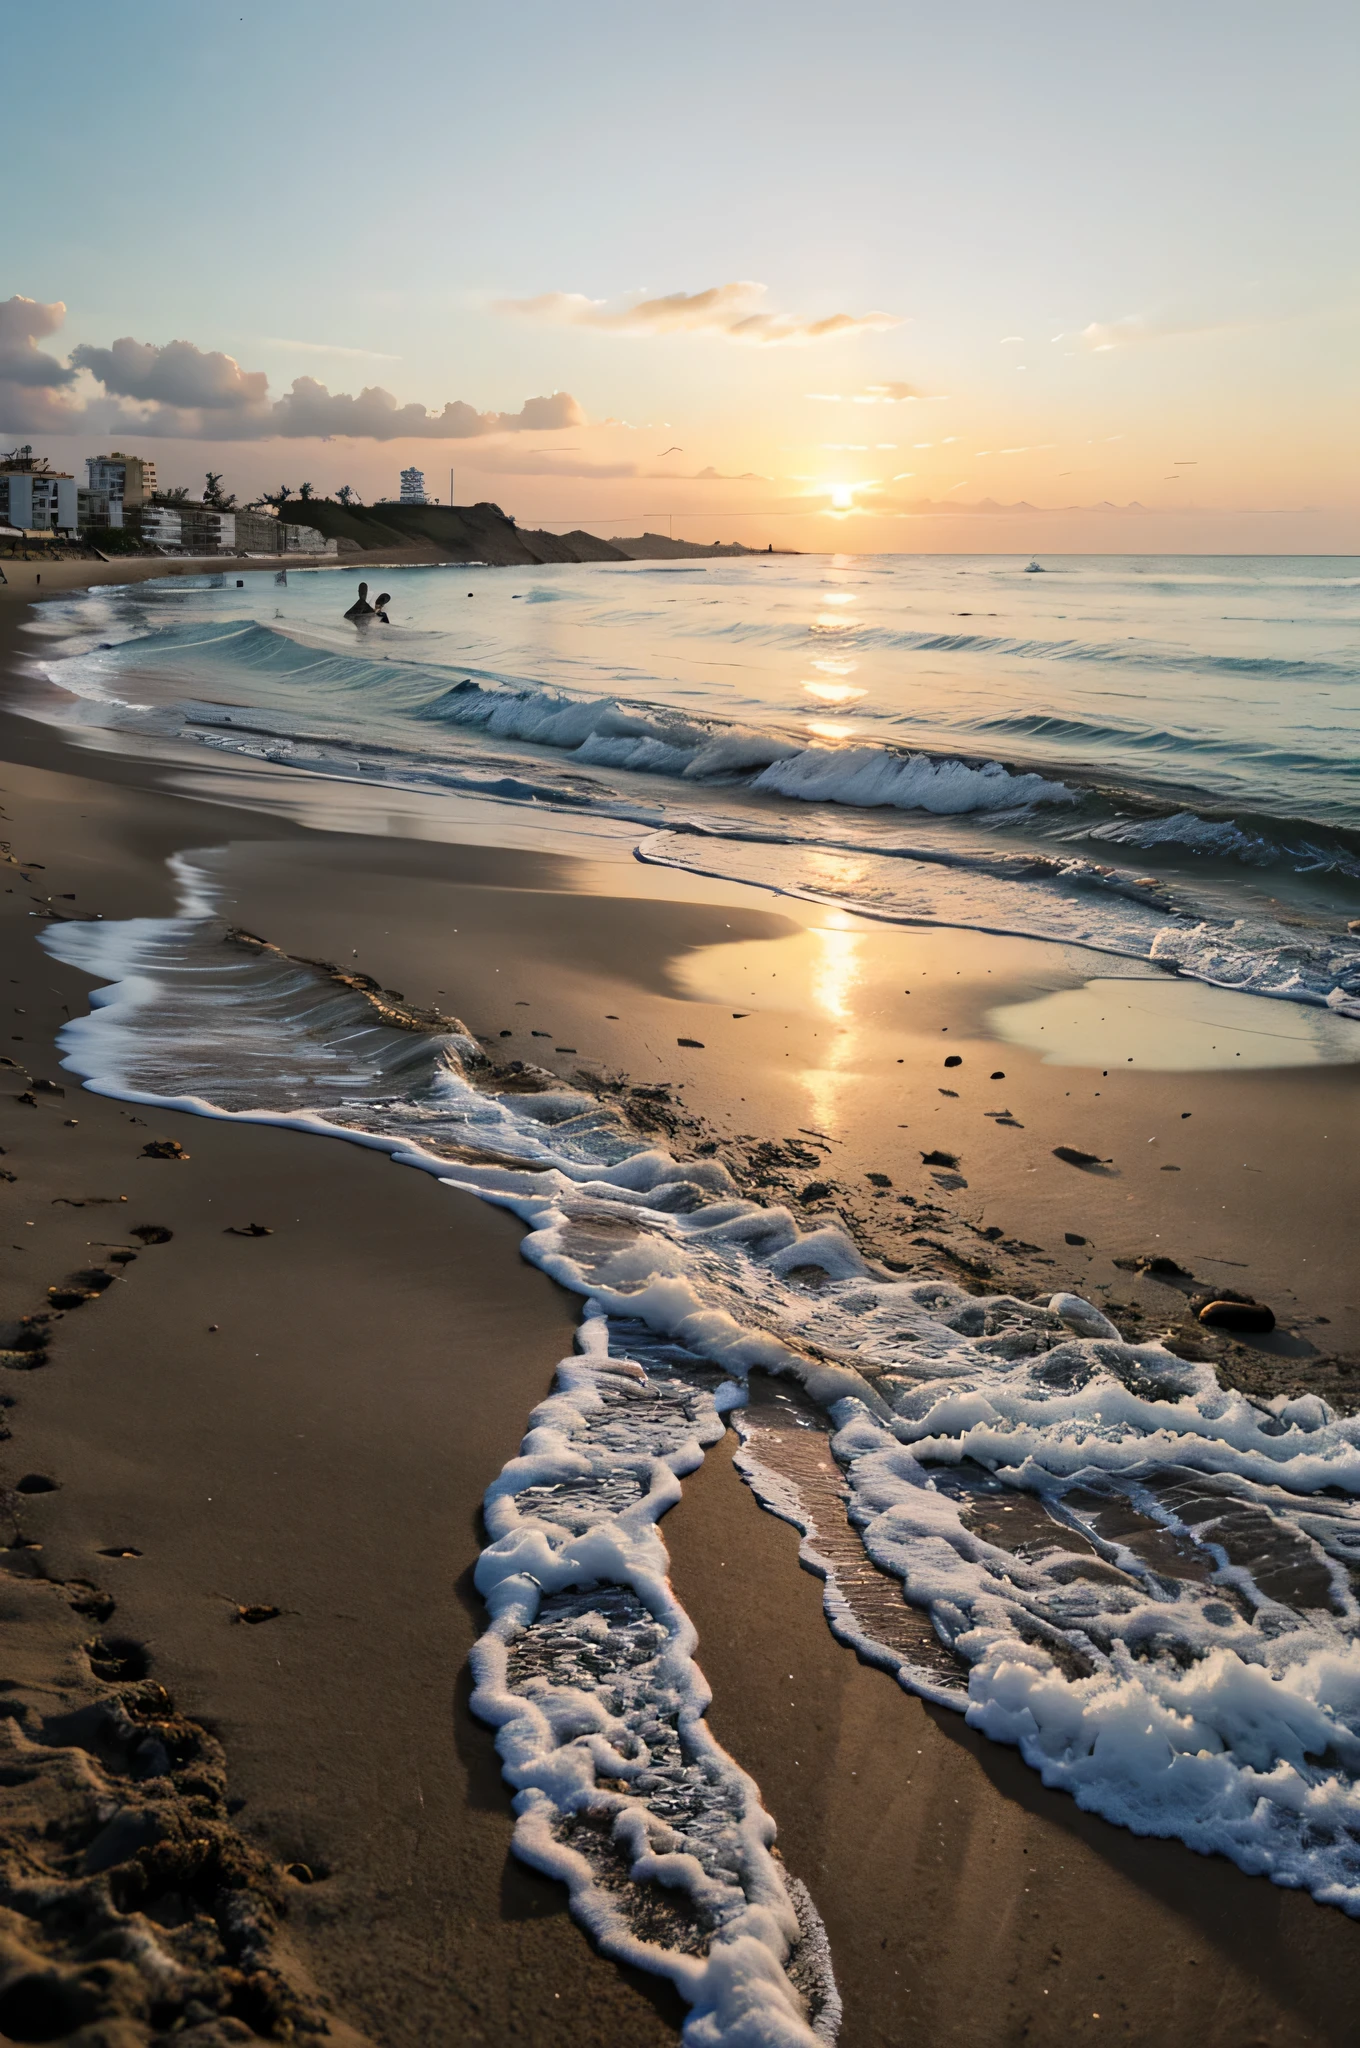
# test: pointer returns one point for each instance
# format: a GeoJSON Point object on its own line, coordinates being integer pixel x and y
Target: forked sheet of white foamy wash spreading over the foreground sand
{"type": "Point", "coordinates": [1142, 1580]}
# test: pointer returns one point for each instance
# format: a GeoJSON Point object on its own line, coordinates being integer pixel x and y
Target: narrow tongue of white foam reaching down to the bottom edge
{"type": "Point", "coordinates": [597, 1748]}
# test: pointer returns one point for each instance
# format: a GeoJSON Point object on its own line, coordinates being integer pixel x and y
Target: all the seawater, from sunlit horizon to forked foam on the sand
{"type": "Point", "coordinates": [1150, 759]}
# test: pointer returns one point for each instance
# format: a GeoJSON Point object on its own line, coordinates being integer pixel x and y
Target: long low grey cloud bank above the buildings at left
{"type": "Point", "coordinates": [200, 394]}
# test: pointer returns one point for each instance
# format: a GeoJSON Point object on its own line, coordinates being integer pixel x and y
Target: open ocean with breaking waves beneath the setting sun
{"type": "Point", "coordinates": [1158, 759]}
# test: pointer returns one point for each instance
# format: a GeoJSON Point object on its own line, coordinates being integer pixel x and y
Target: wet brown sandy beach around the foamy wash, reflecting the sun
{"type": "Point", "coordinates": [308, 1420]}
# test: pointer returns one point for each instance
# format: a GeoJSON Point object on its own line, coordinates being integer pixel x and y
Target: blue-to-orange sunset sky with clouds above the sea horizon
{"type": "Point", "coordinates": [876, 278]}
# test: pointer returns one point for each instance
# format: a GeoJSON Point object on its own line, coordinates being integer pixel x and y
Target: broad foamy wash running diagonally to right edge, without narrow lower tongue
{"type": "Point", "coordinates": [1232, 1723]}
